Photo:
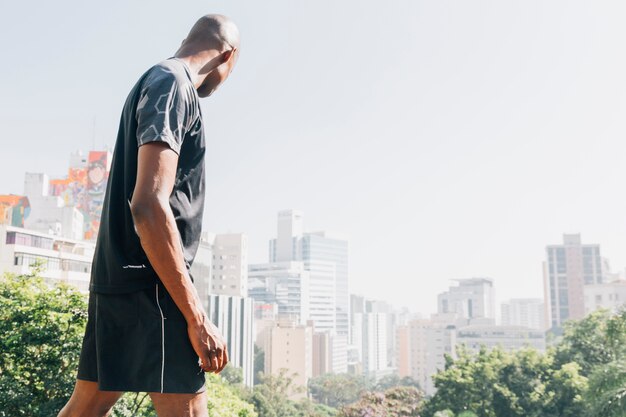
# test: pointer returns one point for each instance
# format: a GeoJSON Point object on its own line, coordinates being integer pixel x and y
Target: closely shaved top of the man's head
{"type": "Point", "coordinates": [212, 31]}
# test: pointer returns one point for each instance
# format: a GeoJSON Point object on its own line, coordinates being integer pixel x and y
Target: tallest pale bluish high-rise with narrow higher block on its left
{"type": "Point", "coordinates": [325, 256]}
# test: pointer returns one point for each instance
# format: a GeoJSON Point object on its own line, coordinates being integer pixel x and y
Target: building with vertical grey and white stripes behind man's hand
{"type": "Point", "coordinates": [234, 316]}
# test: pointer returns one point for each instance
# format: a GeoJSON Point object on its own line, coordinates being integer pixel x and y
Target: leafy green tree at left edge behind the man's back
{"type": "Point", "coordinates": [41, 331]}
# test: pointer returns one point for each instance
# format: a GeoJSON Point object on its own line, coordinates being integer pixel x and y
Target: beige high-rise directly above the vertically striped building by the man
{"type": "Point", "coordinates": [230, 265]}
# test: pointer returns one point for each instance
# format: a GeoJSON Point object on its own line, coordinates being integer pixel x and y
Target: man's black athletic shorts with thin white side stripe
{"type": "Point", "coordinates": [138, 342]}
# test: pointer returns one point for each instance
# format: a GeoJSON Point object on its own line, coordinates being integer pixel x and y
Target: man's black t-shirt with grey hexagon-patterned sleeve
{"type": "Point", "coordinates": [162, 107]}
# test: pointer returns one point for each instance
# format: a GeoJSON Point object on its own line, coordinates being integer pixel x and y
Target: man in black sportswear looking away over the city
{"type": "Point", "coordinates": [147, 330]}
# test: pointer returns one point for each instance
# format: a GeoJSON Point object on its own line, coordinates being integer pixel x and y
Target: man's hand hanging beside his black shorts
{"type": "Point", "coordinates": [209, 344]}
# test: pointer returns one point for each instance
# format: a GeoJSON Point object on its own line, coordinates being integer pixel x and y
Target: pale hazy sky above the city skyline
{"type": "Point", "coordinates": [446, 139]}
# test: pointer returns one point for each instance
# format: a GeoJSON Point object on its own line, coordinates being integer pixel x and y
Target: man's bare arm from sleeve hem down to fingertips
{"type": "Point", "coordinates": [160, 239]}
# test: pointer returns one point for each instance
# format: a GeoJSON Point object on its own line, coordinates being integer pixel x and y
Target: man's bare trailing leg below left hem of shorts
{"type": "Point", "coordinates": [88, 401]}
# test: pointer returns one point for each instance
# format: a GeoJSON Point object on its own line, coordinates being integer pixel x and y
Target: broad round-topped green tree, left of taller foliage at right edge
{"type": "Point", "coordinates": [497, 383]}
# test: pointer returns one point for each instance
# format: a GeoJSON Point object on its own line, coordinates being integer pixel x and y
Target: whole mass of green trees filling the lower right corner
{"type": "Point", "coordinates": [583, 376]}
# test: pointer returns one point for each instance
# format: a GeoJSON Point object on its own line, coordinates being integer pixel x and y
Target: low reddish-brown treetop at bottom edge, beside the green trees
{"type": "Point", "coordinates": [394, 402]}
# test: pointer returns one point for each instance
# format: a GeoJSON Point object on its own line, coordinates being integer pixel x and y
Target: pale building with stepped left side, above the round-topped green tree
{"type": "Point", "coordinates": [472, 298]}
